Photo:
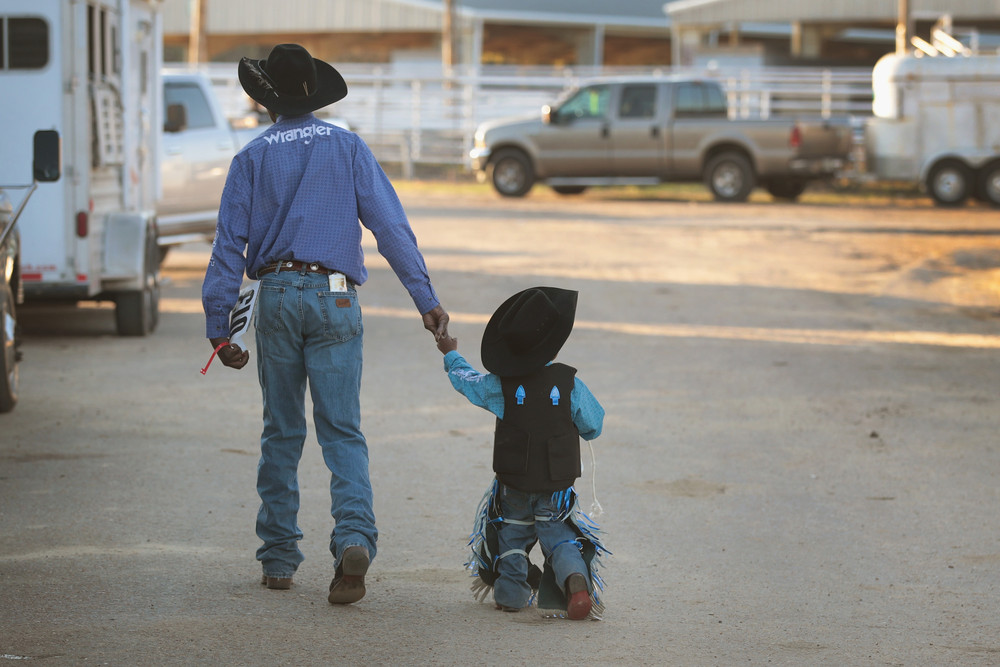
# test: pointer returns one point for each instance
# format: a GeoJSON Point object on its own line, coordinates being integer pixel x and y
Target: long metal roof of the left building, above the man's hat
{"type": "Point", "coordinates": [254, 16]}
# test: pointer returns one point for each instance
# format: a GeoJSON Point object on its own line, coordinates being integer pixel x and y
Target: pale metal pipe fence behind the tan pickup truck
{"type": "Point", "coordinates": [412, 116]}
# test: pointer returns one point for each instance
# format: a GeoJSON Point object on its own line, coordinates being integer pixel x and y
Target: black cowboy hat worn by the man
{"type": "Point", "coordinates": [290, 82]}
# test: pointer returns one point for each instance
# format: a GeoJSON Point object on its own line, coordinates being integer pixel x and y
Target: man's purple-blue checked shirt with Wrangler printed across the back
{"type": "Point", "coordinates": [297, 191]}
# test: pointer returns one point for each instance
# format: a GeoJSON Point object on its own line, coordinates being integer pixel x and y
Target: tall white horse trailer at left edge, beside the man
{"type": "Point", "coordinates": [88, 70]}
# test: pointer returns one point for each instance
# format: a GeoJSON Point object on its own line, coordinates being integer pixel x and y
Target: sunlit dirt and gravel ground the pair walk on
{"type": "Point", "coordinates": [799, 463]}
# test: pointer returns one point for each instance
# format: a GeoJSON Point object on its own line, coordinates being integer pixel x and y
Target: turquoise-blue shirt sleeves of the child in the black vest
{"type": "Point", "coordinates": [486, 392]}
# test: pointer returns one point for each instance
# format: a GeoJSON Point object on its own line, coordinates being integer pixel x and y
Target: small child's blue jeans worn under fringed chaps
{"type": "Point", "coordinates": [556, 537]}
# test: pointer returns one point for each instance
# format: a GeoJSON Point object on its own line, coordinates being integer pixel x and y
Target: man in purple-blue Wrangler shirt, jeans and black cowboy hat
{"type": "Point", "coordinates": [292, 202]}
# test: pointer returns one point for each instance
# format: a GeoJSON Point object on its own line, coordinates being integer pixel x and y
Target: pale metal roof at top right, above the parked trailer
{"type": "Point", "coordinates": [725, 11]}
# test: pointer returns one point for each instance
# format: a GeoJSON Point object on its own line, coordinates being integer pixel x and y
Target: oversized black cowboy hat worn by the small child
{"type": "Point", "coordinates": [528, 330]}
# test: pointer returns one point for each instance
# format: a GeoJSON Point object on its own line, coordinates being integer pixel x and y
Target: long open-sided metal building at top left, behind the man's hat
{"type": "Point", "coordinates": [514, 32]}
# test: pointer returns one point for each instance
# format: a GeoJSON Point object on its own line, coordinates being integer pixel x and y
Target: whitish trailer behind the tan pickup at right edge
{"type": "Point", "coordinates": [937, 121]}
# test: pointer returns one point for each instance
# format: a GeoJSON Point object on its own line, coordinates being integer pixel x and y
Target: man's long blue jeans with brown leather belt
{"type": "Point", "coordinates": [307, 333]}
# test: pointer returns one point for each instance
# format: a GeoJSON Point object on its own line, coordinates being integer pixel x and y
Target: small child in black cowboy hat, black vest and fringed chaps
{"type": "Point", "coordinates": [542, 412]}
